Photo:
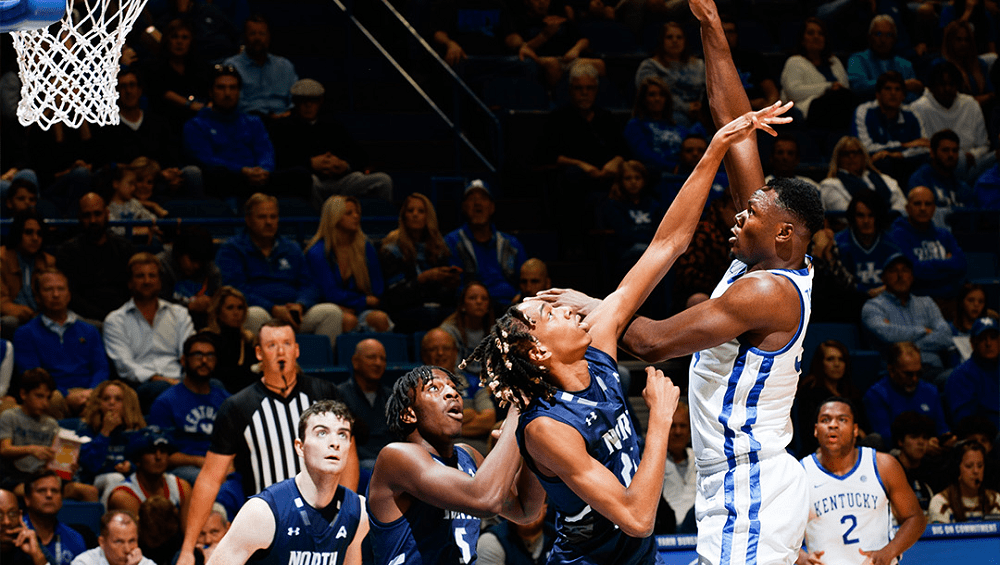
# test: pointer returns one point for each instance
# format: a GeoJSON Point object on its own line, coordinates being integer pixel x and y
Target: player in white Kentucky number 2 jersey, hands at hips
{"type": "Point", "coordinates": [852, 490]}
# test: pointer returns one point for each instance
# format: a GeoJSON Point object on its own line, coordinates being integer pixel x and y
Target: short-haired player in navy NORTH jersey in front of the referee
{"type": "Point", "coordinates": [309, 518]}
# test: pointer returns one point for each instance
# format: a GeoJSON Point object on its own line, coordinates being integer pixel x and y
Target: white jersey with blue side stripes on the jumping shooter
{"type": "Point", "coordinates": [740, 396]}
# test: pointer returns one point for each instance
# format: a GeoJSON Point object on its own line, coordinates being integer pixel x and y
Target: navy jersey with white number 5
{"type": "Point", "coordinates": [427, 534]}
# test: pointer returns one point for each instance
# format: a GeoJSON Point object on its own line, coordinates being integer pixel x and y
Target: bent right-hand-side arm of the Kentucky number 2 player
{"type": "Point", "coordinates": [905, 507]}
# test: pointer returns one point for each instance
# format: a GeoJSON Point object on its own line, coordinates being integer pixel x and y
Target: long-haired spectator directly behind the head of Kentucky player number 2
{"type": "Point", "coordinates": [829, 376]}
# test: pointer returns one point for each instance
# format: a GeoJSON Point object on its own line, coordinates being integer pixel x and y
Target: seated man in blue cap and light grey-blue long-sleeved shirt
{"type": "Point", "coordinates": [896, 315]}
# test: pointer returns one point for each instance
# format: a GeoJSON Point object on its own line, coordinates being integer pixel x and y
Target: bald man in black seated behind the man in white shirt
{"type": "Point", "coordinates": [96, 263]}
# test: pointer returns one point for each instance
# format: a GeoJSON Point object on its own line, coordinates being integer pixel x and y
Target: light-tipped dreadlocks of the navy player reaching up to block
{"type": "Point", "coordinates": [507, 367]}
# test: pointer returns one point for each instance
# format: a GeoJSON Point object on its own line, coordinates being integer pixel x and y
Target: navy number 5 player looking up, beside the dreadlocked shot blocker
{"type": "Point", "coordinates": [426, 493]}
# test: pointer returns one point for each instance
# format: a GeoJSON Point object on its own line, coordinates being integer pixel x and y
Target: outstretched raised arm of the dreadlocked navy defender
{"type": "Point", "coordinates": [676, 229]}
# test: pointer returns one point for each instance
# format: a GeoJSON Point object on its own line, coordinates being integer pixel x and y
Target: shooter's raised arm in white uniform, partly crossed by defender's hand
{"type": "Point", "coordinates": [727, 99]}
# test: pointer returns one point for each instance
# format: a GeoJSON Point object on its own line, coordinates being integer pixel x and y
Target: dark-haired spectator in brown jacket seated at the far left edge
{"type": "Point", "coordinates": [20, 258]}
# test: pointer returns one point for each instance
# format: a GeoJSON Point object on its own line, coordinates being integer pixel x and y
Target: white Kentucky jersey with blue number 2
{"type": "Point", "coordinates": [847, 513]}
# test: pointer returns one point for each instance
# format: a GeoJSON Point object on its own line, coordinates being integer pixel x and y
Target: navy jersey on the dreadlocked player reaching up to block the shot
{"type": "Point", "coordinates": [600, 415]}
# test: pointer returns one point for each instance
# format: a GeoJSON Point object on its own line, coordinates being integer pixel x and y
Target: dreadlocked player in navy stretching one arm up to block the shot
{"type": "Point", "coordinates": [576, 432]}
